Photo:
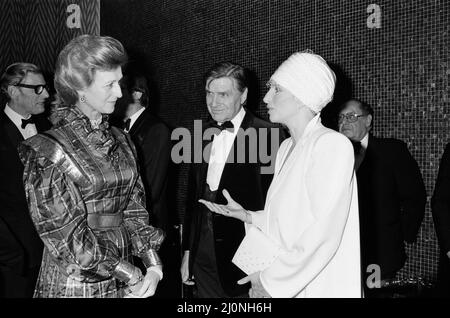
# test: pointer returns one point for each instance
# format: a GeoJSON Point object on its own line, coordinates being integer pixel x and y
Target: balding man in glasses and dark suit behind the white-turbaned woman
{"type": "Point", "coordinates": [391, 196]}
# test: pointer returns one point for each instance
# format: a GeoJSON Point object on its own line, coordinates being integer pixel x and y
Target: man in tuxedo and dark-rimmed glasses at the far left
{"type": "Point", "coordinates": [22, 117]}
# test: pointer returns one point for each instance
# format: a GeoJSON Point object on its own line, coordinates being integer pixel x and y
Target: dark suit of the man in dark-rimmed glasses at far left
{"type": "Point", "coordinates": [18, 274]}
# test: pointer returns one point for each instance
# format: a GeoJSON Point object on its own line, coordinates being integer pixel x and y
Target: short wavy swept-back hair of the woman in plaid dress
{"type": "Point", "coordinates": [81, 58]}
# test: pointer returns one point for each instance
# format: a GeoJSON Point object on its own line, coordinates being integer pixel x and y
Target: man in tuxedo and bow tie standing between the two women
{"type": "Point", "coordinates": [210, 240]}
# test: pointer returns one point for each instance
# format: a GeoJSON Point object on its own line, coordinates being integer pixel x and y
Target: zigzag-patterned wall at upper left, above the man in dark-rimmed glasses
{"type": "Point", "coordinates": [36, 30]}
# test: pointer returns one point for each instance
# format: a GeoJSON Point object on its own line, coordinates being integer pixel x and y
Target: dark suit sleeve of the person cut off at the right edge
{"type": "Point", "coordinates": [440, 203]}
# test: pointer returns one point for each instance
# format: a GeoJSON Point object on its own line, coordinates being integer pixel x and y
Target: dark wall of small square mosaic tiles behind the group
{"type": "Point", "coordinates": [393, 54]}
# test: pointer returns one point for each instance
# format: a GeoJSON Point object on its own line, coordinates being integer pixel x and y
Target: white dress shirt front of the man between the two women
{"type": "Point", "coordinates": [220, 149]}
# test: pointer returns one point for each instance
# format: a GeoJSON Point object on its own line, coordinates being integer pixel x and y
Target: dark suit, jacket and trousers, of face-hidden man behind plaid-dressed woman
{"type": "Point", "coordinates": [153, 145]}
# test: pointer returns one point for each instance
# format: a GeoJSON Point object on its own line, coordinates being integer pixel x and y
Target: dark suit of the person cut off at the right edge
{"type": "Point", "coordinates": [440, 205]}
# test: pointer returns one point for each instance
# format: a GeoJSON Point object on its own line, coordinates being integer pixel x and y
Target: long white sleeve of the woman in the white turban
{"type": "Point", "coordinates": [329, 188]}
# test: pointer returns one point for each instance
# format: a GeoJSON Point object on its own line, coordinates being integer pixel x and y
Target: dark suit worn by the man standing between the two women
{"type": "Point", "coordinates": [246, 186]}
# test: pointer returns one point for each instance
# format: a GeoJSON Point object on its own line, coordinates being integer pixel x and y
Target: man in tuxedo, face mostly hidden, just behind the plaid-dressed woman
{"type": "Point", "coordinates": [152, 140]}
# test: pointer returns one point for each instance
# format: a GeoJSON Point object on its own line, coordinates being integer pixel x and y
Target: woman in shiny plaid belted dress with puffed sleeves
{"type": "Point", "coordinates": [84, 192]}
